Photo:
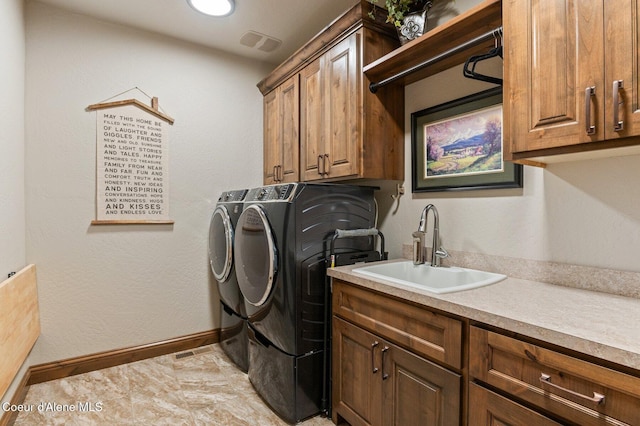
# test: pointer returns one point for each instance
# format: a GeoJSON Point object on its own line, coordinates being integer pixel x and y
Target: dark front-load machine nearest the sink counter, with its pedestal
{"type": "Point", "coordinates": [282, 241]}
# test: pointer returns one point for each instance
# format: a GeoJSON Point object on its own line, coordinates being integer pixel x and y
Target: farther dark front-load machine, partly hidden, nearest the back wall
{"type": "Point", "coordinates": [233, 315]}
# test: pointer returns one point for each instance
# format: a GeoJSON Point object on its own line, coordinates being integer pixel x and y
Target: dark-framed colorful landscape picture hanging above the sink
{"type": "Point", "coordinates": [458, 145]}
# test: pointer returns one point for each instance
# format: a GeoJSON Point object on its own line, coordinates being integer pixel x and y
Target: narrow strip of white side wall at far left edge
{"type": "Point", "coordinates": [12, 207]}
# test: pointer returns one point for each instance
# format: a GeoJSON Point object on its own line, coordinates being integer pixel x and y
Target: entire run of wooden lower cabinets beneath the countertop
{"type": "Point", "coordinates": [398, 363]}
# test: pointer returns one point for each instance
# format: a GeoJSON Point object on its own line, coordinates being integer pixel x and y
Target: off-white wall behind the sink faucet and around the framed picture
{"type": "Point", "coordinates": [583, 212]}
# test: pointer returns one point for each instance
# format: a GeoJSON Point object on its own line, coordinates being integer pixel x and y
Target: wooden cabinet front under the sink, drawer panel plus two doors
{"type": "Point", "coordinates": [378, 376]}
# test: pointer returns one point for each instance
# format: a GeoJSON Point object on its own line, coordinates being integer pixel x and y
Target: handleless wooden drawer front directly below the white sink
{"type": "Point", "coordinates": [417, 329]}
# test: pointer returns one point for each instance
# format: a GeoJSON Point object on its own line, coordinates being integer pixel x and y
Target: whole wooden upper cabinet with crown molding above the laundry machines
{"type": "Point", "coordinates": [345, 131]}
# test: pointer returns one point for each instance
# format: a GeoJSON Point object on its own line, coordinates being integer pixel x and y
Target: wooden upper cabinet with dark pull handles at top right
{"type": "Point", "coordinates": [561, 61]}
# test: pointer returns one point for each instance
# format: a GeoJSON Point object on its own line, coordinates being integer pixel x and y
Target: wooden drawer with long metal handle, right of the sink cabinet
{"type": "Point", "coordinates": [576, 390]}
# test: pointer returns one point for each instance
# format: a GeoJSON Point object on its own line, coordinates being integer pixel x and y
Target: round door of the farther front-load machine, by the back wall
{"type": "Point", "coordinates": [221, 244]}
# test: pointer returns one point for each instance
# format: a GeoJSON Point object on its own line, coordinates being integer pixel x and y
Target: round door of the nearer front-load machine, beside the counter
{"type": "Point", "coordinates": [256, 255]}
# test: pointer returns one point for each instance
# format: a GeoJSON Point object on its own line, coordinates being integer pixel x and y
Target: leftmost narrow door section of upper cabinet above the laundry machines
{"type": "Point", "coordinates": [281, 126]}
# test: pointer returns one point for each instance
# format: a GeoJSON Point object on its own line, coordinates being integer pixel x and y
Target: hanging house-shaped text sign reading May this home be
{"type": "Point", "coordinates": [132, 163]}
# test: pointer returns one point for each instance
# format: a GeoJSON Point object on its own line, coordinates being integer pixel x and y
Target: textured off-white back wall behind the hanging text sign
{"type": "Point", "coordinates": [109, 287]}
